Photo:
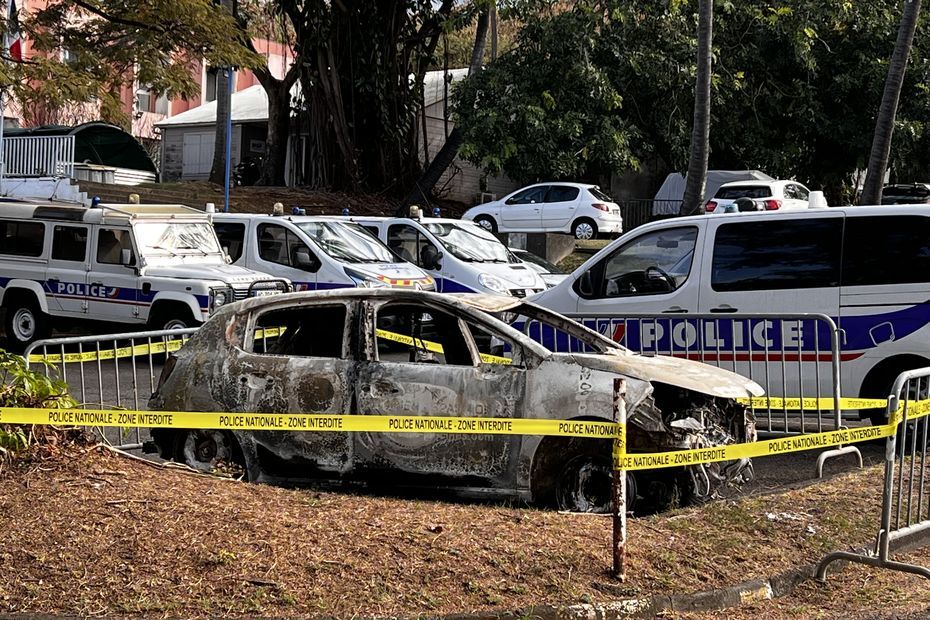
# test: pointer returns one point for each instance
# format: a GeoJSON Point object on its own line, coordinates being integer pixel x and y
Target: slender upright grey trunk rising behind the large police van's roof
{"type": "Point", "coordinates": [700, 132]}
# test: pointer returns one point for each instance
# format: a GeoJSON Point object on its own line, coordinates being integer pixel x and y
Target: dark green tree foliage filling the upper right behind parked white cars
{"type": "Point", "coordinates": [795, 90]}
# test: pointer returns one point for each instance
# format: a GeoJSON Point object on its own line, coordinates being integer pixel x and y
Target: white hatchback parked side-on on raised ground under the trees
{"type": "Point", "coordinates": [577, 208]}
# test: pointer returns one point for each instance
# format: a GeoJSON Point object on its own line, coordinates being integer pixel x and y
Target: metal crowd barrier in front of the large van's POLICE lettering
{"type": "Point", "coordinates": [794, 357]}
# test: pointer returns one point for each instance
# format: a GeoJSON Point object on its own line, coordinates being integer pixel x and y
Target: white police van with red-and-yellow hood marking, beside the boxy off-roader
{"type": "Point", "coordinates": [315, 252]}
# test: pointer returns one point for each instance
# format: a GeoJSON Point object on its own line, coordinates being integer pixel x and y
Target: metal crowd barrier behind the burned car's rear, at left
{"type": "Point", "coordinates": [92, 365]}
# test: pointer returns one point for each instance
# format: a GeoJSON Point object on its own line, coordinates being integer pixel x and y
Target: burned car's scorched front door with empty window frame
{"type": "Point", "coordinates": [471, 462]}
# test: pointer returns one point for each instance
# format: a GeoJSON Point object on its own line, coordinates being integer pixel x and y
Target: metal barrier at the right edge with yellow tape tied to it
{"type": "Point", "coordinates": [904, 513]}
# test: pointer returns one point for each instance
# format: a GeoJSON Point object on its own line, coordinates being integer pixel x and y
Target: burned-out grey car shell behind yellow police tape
{"type": "Point", "coordinates": [396, 352]}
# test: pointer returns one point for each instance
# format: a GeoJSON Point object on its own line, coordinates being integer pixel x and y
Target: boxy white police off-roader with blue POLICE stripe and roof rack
{"type": "Point", "coordinates": [155, 265]}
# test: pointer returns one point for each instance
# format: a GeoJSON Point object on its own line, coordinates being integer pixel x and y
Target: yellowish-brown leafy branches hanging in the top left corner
{"type": "Point", "coordinates": [85, 52]}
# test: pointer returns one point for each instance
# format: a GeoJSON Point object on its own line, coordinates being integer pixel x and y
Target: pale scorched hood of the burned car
{"type": "Point", "coordinates": [673, 371]}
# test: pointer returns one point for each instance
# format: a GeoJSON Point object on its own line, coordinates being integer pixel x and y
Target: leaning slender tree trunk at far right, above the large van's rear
{"type": "Point", "coordinates": [884, 123]}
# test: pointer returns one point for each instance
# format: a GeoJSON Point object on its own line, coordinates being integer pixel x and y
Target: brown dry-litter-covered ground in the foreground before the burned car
{"type": "Point", "coordinates": [90, 533]}
